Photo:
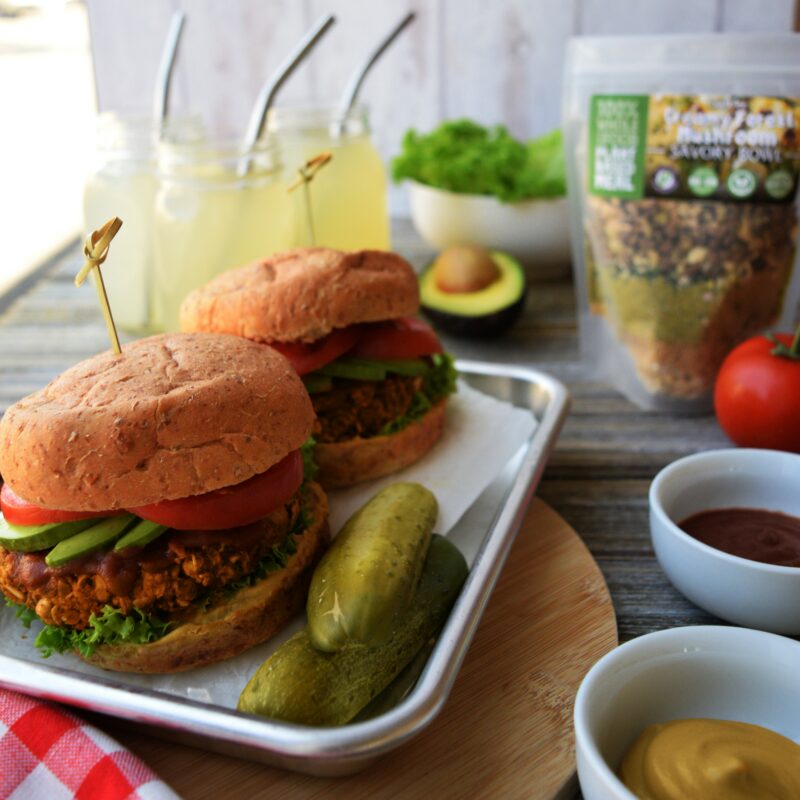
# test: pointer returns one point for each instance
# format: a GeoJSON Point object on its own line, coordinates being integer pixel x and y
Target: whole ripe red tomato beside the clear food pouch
{"type": "Point", "coordinates": [757, 394]}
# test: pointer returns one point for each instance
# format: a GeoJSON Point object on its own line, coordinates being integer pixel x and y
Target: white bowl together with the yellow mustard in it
{"type": "Point", "coordinates": [701, 712]}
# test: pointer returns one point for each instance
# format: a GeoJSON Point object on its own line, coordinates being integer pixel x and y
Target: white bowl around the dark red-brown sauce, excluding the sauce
{"type": "Point", "coordinates": [736, 589]}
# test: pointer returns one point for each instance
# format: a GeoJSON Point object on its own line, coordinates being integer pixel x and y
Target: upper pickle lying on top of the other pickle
{"type": "Point", "coordinates": [370, 573]}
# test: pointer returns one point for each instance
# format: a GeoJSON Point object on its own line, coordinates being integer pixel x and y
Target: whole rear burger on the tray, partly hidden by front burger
{"type": "Point", "coordinates": [378, 377]}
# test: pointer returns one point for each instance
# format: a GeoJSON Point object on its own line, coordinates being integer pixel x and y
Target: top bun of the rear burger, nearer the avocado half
{"type": "Point", "coordinates": [302, 295]}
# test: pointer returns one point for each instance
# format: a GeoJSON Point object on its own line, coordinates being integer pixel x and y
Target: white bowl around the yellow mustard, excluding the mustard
{"type": "Point", "coordinates": [701, 671]}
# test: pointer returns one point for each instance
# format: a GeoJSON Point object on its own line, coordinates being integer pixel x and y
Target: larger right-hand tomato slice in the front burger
{"type": "Point", "coordinates": [231, 506]}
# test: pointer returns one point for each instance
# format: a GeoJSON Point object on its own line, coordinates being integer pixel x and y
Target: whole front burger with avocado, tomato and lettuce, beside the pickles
{"type": "Point", "coordinates": [158, 511]}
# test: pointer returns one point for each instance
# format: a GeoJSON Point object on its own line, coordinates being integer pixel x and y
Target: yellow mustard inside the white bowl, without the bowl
{"type": "Point", "coordinates": [710, 759]}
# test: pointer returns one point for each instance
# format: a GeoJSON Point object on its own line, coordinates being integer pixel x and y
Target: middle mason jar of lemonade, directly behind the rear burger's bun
{"type": "Point", "coordinates": [217, 206]}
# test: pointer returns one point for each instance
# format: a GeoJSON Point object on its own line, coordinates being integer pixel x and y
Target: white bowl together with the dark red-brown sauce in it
{"type": "Point", "coordinates": [725, 526]}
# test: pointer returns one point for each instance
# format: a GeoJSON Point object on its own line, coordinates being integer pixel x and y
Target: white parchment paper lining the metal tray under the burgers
{"type": "Point", "coordinates": [482, 437]}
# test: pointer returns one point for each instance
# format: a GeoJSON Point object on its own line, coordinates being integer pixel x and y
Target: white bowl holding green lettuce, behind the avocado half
{"type": "Point", "coordinates": [536, 232]}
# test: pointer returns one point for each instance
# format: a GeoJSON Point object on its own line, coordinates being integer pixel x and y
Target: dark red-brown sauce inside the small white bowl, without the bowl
{"type": "Point", "coordinates": [766, 536]}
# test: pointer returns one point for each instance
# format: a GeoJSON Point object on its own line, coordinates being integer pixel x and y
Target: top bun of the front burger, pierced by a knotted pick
{"type": "Point", "coordinates": [172, 416]}
